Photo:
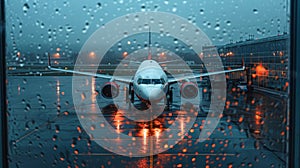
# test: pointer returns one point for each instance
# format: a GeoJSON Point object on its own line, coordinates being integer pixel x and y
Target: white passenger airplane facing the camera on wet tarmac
{"type": "Point", "coordinates": [150, 82]}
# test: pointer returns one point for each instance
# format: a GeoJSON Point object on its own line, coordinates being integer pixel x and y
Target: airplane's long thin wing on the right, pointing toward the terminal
{"type": "Point", "coordinates": [184, 77]}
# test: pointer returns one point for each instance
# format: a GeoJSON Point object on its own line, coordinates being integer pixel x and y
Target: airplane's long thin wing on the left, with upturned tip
{"type": "Point", "coordinates": [113, 78]}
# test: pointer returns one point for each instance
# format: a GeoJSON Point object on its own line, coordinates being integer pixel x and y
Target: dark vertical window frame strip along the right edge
{"type": "Point", "coordinates": [294, 106]}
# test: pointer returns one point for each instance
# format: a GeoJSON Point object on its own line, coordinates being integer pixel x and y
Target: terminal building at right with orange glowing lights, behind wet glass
{"type": "Point", "coordinates": [266, 62]}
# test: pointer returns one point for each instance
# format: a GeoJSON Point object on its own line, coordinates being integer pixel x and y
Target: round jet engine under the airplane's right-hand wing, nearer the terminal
{"type": "Point", "coordinates": [189, 90]}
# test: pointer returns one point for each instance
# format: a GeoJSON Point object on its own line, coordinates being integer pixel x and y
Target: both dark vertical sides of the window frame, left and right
{"type": "Point", "coordinates": [294, 106]}
